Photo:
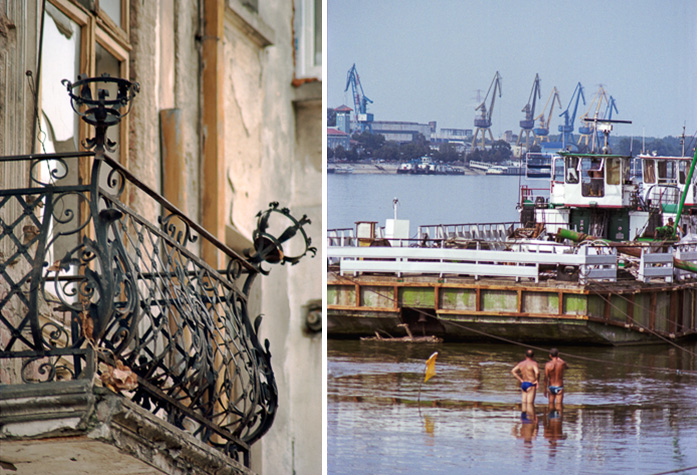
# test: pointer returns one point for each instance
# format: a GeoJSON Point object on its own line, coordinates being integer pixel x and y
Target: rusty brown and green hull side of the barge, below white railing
{"type": "Point", "coordinates": [465, 309]}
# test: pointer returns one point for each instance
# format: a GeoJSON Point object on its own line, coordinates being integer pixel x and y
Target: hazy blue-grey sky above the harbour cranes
{"type": "Point", "coordinates": [421, 61]}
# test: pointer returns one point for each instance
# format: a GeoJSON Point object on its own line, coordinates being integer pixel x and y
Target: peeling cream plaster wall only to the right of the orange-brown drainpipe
{"type": "Point", "coordinates": [273, 145]}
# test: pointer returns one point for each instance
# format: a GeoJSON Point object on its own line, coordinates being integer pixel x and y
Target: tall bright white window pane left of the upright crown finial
{"type": "Point", "coordinates": [60, 59]}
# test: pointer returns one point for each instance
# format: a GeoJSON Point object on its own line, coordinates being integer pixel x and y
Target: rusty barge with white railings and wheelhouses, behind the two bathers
{"type": "Point", "coordinates": [598, 257]}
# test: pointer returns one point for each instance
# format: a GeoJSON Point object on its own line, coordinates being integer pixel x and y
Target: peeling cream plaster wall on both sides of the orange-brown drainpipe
{"type": "Point", "coordinates": [272, 153]}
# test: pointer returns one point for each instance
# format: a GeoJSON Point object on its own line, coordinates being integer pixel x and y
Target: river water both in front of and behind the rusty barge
{"type": "Point", "coordinates": [627, 410]}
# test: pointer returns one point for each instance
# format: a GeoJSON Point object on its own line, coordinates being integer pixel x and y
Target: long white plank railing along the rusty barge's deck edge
{"type": "Point", "coordinates": [593, 265]}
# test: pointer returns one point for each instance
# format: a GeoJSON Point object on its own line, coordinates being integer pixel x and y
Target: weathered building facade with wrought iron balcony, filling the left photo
{"type": "Point", "coordinates": [221, 116]}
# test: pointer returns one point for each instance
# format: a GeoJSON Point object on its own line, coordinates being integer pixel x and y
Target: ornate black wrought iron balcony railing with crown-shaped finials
{"type": "Point", "coordinates": [91, 288]}
